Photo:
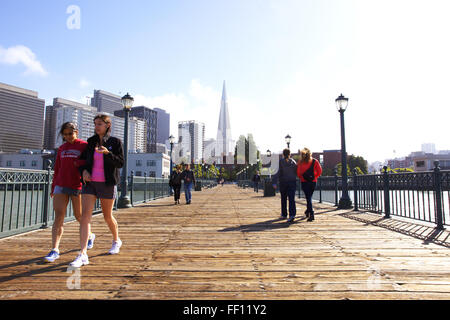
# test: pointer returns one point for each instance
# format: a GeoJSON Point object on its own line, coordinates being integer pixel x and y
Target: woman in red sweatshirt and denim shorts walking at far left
{"type": "Point", "coordinates": [66, 185]}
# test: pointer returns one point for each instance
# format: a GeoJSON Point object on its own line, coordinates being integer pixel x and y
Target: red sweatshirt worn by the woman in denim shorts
{"type": "Point", "coordinates": [67, 163]}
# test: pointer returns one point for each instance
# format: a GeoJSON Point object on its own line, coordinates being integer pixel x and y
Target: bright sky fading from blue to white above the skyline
{"type": "Point", "coordinates": [284, 63]}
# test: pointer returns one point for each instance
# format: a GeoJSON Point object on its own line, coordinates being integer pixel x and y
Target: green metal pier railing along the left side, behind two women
{"type": "Point", "coordinates": [26, 204]}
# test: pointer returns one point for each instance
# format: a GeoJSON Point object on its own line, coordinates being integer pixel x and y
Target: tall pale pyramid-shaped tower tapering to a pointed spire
{"type": "Point", "coordinates": [224, 139]}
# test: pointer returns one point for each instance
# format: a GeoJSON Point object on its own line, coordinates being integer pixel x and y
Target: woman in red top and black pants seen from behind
{"type": "Point", "coordinates": [308, 171]}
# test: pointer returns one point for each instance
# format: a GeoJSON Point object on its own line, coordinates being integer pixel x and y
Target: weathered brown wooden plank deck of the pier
{"type": "Point", "coordinates": [230, 244]}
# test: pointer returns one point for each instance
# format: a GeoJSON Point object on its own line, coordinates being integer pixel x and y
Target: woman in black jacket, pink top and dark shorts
{"type": "Point", "coordinates": [104, 157]}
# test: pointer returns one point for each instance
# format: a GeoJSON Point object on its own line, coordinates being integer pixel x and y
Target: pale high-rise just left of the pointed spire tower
{"type": "Point", "coordinates": [191, 138]}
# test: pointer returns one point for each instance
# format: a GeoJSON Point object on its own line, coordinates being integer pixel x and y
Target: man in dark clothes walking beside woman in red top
{"type": "Point", "coordinates": [287, 177]}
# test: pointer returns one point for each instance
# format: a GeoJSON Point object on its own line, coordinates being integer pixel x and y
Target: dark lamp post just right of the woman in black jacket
{"type": "Point", "coordinates": [124, 200]}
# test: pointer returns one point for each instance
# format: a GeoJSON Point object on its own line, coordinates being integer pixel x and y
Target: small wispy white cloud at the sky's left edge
{"type": "Point", "coordinates": [22, 55]}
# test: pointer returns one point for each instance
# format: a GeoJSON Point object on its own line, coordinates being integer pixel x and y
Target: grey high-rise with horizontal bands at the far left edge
{"type": "Point", "coordinates": [22, 119]}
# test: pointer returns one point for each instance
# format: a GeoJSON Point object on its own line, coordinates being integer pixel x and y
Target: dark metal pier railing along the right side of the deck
{"type": "Point", "coordinates": [423, 196]}
